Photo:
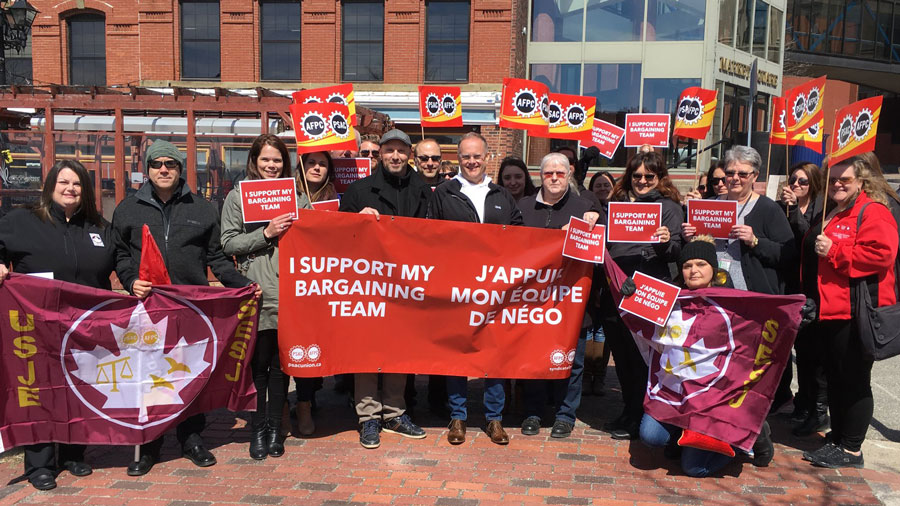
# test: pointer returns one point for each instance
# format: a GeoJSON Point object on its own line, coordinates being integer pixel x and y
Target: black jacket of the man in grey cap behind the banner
{"type": "Point", "coordinates": [406, 195]}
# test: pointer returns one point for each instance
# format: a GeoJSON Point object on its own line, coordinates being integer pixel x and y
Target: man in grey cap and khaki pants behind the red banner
{"type": "Point", "coordinates": [393, 189]}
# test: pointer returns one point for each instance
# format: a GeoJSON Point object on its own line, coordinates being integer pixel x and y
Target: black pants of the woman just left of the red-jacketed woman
{"type": "Point", "coordinates": [812, 393]}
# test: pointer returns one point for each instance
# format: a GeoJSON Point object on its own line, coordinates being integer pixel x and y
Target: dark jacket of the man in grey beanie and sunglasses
{"type": "Point", "coordinates": [186, 229]}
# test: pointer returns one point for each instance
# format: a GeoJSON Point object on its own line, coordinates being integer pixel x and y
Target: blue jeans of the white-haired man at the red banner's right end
{"type": "Point", "coordinates": [566, 392]}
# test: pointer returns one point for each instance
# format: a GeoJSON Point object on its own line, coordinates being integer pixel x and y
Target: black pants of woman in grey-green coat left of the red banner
{"type": "Point", "coordinates": [271, 383]}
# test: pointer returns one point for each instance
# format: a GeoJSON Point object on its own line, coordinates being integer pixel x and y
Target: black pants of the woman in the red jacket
{"type": "Point", "coordinates": [849, 378]}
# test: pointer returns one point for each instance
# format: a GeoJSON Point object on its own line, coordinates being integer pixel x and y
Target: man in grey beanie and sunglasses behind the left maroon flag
{"type": "Point", "coordinates": [186, 229]}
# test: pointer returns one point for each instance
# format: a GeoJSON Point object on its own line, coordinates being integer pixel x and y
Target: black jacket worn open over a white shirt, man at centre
{"type": "Point", "coordinates": [449, 203]}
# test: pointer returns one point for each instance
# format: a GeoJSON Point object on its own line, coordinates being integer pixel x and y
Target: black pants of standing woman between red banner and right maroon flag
{"type": "Point", "coordinates": [631, 369]}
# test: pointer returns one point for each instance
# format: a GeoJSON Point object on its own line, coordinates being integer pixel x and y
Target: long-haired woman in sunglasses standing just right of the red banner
{"type": "Point", "coordinates": [645, 180]}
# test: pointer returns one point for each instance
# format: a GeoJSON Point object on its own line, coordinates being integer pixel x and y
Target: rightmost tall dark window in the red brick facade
{"type": "Point", "coordinates": [447, 41]}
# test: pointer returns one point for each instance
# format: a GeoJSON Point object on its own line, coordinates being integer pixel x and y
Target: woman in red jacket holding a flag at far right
{"type": "Point", "coordinates": [832, 261]}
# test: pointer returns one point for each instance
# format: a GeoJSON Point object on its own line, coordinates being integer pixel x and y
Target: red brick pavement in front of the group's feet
{"type": "Point", "coordinates": [331, 468]}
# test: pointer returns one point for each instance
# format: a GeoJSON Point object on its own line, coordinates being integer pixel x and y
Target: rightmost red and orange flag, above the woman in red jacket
{"type": "Point", "coordinates": [855, 127]}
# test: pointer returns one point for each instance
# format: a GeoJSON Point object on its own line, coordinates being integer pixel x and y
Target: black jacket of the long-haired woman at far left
{"type": "Point", "coordinates": [75, 251]}
